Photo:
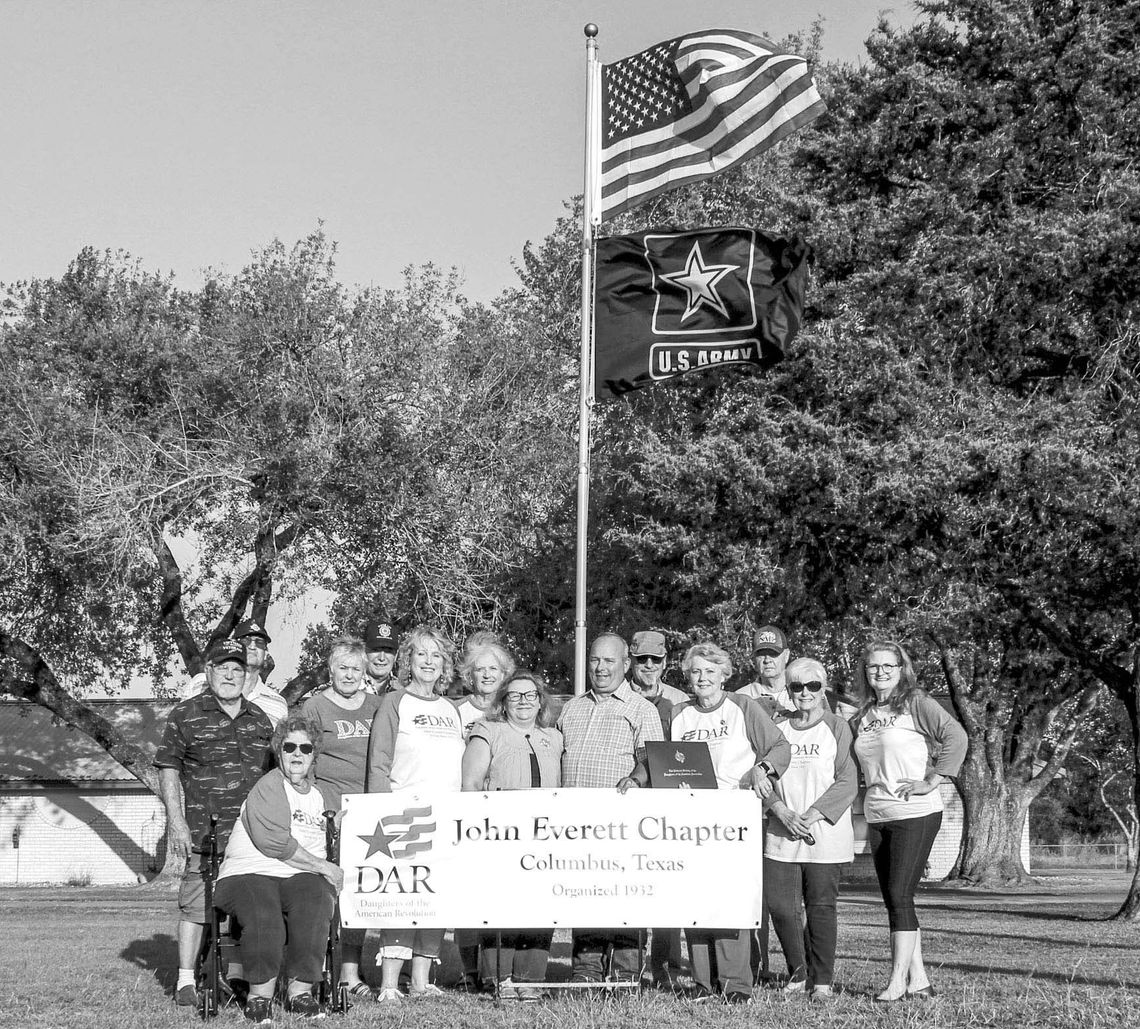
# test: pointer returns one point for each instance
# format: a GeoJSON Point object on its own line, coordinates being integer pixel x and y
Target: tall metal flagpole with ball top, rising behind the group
{"type": "Point", "coordinates": [587, 370]}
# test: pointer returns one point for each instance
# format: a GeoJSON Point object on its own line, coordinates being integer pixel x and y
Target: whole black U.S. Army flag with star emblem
{"type": "Point", "coordinates": [667, 304]}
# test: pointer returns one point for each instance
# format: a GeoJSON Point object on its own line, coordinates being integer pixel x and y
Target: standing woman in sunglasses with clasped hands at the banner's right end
{"type": "Point", "coordinates": [810, 836]}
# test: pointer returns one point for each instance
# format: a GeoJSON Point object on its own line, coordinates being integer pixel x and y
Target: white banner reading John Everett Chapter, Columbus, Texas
{"type": "Point", "coordinates": [538, 859]}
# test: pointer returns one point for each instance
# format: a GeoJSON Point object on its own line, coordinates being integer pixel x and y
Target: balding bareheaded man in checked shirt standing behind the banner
{"type": "Point", "coordinates": [605, 733]}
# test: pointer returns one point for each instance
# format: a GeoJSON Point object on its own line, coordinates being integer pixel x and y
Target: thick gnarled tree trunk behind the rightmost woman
{"type": "Point", "coordinates": [995, 815]}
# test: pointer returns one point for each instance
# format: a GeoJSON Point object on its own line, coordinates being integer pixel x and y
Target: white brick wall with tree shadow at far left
{"type": "Point", "coordinates": [67, 835]}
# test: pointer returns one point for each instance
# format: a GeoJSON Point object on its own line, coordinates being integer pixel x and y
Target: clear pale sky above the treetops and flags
{"type": "Point", "coordinates": [191, 133]}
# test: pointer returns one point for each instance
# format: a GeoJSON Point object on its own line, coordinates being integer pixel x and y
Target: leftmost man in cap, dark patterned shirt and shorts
{"type": "Point", "coordinates": [215, 749]}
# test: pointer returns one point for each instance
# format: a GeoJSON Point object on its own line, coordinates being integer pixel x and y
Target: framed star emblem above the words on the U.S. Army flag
{"type": "Point", "coordinates": [703, 282]}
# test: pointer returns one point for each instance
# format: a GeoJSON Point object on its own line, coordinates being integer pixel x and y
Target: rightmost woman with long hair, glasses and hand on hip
{"type": "Point", "coordinates": [907, 746]}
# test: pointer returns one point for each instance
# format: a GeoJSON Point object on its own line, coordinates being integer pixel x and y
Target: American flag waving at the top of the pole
{"type": "Point", "coordinates": [694, 107]}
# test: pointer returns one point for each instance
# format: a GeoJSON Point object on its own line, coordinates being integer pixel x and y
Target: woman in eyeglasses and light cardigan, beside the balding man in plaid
{"type": "Point", "coordinates": [516, 747]}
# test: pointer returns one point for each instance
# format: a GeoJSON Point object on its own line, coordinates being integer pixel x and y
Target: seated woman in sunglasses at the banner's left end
{"type": "Point", "coordinates": [276, 878]}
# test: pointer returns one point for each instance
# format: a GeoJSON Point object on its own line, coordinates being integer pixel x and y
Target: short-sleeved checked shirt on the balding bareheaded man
{"type": "Point", "coordinates": [606, 737]}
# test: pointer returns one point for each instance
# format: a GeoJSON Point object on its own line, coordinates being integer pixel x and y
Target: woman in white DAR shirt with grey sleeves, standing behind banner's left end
{"type": "Point", "coordinates": [417, 747]}
